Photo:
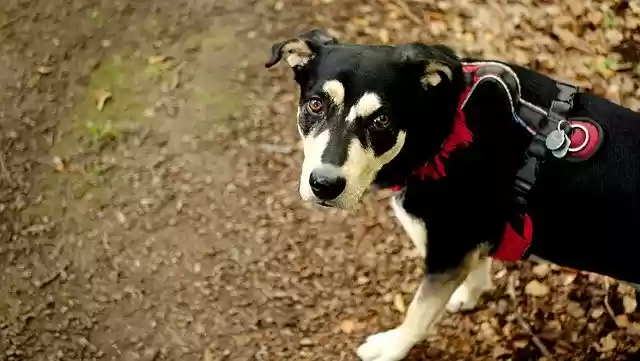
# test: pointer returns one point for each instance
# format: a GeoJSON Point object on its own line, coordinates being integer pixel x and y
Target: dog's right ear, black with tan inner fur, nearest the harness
{"type": "Point", "coordinates": [437, 63]}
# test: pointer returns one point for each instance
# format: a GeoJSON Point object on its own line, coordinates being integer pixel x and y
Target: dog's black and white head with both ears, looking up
{"type": "Point", "coordinates": [366, 110]}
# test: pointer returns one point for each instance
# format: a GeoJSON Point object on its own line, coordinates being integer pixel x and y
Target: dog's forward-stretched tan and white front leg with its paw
{"type": "Point", "coordinates": [426, 308]}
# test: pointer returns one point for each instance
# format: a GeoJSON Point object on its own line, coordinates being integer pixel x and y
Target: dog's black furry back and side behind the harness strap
{"type": "Point", "coordinates": [587, 214]}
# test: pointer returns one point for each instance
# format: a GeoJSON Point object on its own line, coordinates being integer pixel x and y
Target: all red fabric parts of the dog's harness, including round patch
{"type": "Point", "coordinates": [518, 233]}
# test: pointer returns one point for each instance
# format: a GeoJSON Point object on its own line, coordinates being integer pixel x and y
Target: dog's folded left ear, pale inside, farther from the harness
{"type": "Point", "coordinates": [298, 51]}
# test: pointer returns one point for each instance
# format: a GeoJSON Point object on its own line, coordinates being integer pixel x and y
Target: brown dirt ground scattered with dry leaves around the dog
{"type": "Point", "coordinates": [149, 172]}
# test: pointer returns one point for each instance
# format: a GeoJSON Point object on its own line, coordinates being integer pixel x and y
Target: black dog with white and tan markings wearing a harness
{"type": "Point", "coordinates": [494, 160]}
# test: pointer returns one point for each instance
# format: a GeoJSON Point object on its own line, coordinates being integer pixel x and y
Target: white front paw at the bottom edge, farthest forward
{"type": "Point", "coordinates": [392, 345]}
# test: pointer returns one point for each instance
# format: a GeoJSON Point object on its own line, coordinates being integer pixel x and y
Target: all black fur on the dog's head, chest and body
{"type": "Point", "coordinates": [586, 215]}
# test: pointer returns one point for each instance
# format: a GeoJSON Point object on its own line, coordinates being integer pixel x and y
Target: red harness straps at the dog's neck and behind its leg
{"type": "Point", "coordinates": [513, 244]}
